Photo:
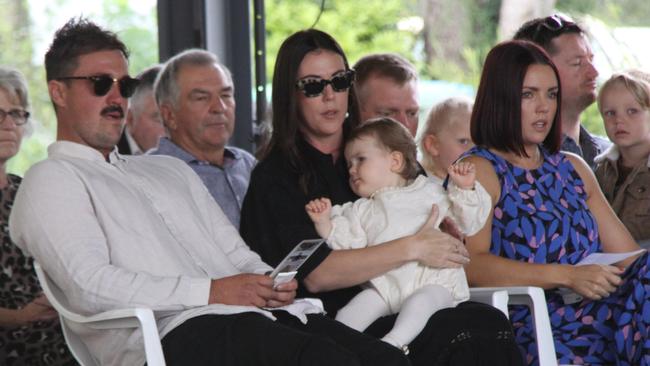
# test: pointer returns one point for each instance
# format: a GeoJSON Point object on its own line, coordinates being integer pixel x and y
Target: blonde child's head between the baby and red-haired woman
{"type": "Point", "coordinates": [446, 135]}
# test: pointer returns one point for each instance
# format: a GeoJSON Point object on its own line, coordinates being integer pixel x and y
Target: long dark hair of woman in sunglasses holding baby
{"type": "Point", "coordinates": [286, 112]}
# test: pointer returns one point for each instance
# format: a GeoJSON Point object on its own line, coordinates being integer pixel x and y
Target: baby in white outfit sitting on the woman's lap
{"type": "Point", "coordinates": [396, 202]}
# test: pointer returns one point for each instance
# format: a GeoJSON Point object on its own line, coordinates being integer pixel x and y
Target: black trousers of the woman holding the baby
{"type": "Point", "coordinates": [471, 334]}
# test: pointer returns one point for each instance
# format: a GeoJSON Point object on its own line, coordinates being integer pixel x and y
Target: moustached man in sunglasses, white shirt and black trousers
{"type": "Point", "coordinates": [116, 231]}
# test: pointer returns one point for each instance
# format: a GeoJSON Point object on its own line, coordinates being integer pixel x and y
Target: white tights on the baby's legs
{"type": "Point", "coordinates": [416, 310]}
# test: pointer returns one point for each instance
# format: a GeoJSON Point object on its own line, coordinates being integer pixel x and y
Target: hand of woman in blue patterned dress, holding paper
{"type": "Point", "coordinates": [594, 281]}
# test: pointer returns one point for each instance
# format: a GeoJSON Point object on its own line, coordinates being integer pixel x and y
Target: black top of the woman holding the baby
{"type": "Point", "coordinates": [273, 217]}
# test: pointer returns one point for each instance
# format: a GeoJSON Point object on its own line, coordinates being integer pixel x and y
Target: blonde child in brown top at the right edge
{"type": "Point", "coordinates": [623, 170]}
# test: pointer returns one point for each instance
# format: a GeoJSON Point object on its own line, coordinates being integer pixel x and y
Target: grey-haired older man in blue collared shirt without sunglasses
{"type": "Point", "coordinates": [194, 92]}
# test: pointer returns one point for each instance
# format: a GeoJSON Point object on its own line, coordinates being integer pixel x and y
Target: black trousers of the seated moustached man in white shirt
{"type": "Point", "coordinates": [253, 339]}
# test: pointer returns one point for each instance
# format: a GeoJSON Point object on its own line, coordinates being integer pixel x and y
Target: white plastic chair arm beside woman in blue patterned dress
{"type": "Point", "coordinates": [534, 298]}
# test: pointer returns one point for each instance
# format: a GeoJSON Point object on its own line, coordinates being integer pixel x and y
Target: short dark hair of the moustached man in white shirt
{"type": "Point", "coordinates": [78, 37]}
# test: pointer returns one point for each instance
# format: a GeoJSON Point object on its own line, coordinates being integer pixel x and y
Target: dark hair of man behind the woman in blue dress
{"type": "Point", "coordinates": [542, 31]}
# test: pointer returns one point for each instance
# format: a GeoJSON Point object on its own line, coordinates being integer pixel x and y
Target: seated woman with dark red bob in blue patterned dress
{"type": "Point", "coordinates": [548, 214]}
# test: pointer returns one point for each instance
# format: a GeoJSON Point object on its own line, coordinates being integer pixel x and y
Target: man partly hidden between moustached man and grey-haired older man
{"type": "Point", "coordinates": [143, 123]}
